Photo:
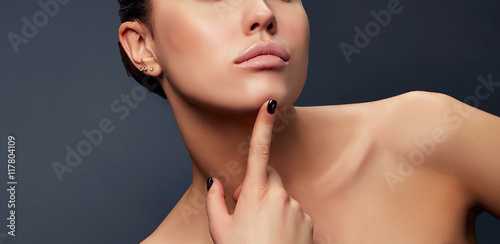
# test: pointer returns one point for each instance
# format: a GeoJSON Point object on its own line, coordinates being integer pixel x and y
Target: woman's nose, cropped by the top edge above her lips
{"type": "Point", "coordinates": [259, 17]}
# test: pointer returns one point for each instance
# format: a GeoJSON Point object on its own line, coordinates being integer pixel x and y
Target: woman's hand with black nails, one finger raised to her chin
{"type": "Point", "coordinates": [264, 212]}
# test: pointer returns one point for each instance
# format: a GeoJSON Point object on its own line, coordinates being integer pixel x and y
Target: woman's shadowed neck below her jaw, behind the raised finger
{"type": "Point", "coordinates": [218, 144]}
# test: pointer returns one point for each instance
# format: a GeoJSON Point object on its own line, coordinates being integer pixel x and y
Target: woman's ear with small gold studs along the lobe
{"type": "Point", "coordinates": [137, 43]}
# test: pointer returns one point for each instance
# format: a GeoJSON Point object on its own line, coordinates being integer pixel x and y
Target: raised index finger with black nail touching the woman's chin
{"type": "Point", "coordinates": [260, 144]}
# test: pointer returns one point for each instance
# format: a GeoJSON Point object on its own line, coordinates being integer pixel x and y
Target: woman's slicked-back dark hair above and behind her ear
{"type": "Point", "coordinates": [139, 10]}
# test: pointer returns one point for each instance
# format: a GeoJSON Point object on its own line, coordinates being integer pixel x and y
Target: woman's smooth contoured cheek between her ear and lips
{"type": "Point", "coordinates": [193, 48]}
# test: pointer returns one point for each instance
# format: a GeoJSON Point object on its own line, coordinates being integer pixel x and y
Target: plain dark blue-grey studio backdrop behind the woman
{"type": "Point", "coordinates": [66, 77]}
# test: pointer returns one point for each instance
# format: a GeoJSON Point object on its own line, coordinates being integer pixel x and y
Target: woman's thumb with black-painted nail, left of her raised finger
{"type": "Point", "coordinates": [218, 214]}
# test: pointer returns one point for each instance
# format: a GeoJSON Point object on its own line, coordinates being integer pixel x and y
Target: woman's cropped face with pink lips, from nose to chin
{"type": "Point", "coordinates": [200, 45]}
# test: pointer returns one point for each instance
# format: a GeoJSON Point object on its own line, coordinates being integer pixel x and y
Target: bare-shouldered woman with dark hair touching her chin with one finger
{"type": "Point", "coordinates": [415, 168]}
